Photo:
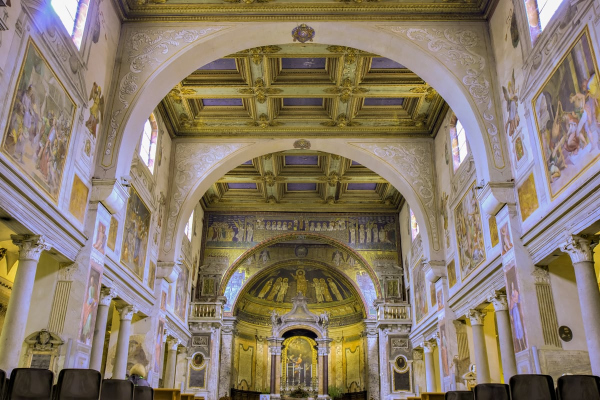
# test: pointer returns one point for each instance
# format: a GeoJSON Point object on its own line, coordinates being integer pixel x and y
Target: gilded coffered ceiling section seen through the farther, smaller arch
{"type": "Point", "coordinates": [302, 180]}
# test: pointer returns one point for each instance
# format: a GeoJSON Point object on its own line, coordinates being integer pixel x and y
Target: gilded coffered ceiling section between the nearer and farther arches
{"type": "Point", "coordinates": [303, 90]}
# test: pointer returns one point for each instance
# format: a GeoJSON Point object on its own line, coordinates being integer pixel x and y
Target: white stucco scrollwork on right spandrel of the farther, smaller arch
{"type": "Point", "coordinates": [413, 161]}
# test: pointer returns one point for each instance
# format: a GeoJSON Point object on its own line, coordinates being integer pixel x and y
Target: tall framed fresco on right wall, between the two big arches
{"type": "Point", "coordinates": [469, 233]}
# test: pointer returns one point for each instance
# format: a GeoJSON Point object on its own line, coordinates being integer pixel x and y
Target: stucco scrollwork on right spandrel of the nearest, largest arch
{"type": "Point", "coordinates": [465, 50]}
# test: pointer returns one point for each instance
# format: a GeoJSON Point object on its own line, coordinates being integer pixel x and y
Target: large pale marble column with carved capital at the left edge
{"type": "Point", "coordinates": [13, 332]}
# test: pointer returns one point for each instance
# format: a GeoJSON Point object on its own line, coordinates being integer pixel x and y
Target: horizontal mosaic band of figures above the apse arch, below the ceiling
{"type": "Point", "coordinates": [376, 232]}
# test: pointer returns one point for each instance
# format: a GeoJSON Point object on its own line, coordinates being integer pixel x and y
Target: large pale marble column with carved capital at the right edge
{"type": "Point", "coordinates": [580, 248]}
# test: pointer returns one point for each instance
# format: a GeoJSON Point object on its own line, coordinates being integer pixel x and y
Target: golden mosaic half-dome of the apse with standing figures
{"type": "Point", "coordinates": [326, 288]}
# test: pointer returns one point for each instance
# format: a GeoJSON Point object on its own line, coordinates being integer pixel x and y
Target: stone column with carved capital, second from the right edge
{"type": "Point", "coordinates": [507, 349]}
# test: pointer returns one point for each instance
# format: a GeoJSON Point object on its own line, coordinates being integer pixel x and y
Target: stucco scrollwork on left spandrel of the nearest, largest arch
{"type": "Point", "coordinates": [145, 50]}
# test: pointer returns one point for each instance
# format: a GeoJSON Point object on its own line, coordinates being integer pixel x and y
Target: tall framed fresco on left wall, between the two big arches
{"type": "Point", "coordinates": [135, 234]}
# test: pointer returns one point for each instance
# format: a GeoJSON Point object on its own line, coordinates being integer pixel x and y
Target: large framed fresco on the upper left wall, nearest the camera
{"type": "Point", "coordinates": [40, 123]}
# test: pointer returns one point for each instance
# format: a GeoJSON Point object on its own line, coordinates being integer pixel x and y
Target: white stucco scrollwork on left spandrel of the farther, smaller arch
{"type": "Point", "coordinates": [192, 161]}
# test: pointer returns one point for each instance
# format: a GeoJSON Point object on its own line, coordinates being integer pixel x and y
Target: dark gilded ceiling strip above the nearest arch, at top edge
{"type": "Point", "coordinates": [292, 10]}
